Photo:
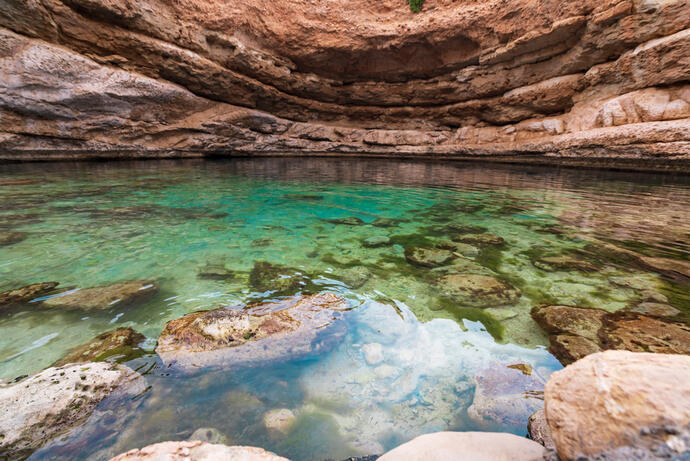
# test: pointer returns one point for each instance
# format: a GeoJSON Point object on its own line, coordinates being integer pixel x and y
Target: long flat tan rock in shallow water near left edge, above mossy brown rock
{"type": "Point", "coordinates": [119, 294]}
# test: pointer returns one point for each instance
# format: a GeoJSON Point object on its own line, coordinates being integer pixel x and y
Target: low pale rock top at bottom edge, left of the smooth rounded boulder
{"type": "Point", "coordinates": [197, 451]}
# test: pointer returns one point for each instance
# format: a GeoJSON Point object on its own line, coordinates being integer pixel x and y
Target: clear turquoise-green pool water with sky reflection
{"type": "Point", "coordinates": [94, 224]}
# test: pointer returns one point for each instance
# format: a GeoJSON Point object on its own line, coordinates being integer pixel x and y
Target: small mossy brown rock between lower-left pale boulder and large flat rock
{"type": "Point", "coordinates": [121, 344]}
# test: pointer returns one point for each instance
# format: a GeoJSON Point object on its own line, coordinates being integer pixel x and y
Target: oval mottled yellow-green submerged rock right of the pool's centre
{"type": "Point", "coordinates": [477, 290]}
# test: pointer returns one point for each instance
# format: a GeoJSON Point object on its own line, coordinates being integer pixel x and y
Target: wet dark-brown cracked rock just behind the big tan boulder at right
{"type": "Point", "coordinates": [577, 332]}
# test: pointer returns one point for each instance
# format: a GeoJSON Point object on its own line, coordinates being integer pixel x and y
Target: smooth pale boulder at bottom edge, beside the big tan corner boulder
{"type": "Point", "coordinates": [460, 446]}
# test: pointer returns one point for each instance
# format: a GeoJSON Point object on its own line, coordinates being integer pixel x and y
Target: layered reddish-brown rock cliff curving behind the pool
{"type": "Point", "coordinates": [579, 82]}
